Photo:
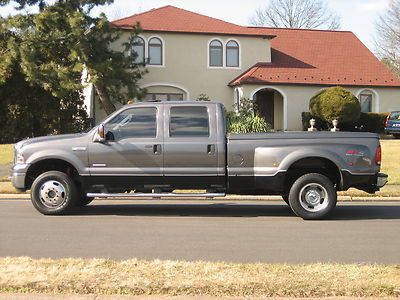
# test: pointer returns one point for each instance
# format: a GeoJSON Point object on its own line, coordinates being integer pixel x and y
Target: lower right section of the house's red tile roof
{"type": "Point", "coordinates": [318, 57]}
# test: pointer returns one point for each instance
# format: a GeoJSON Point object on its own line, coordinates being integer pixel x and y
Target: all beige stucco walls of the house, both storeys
{"type": "Point", "coordinates": [186, 70]}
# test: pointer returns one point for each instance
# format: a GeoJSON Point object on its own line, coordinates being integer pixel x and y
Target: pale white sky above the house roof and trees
{"type": "Point", "coordinates": [358, 16]}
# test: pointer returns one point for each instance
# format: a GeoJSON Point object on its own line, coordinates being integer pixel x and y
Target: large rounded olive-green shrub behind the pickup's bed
{"type": "Point", "coordinates": [336, 103]}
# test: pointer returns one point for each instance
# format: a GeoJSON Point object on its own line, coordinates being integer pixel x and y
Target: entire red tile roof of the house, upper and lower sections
{"type": "Point", "coordinates": [299, 56]}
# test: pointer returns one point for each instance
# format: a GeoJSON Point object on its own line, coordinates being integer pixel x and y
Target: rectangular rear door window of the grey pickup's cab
{"type": "Point", "coordinates": [189, 121]}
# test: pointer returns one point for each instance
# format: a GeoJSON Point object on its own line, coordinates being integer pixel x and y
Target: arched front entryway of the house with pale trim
{"type": "Point", "coordinates": [272, 104]}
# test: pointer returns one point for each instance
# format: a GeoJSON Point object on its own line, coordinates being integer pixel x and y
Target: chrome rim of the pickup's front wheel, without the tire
{"type": "Point", "coordinates": [52, 194]}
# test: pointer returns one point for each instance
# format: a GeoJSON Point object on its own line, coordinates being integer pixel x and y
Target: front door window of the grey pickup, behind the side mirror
{"type": "Point", "coordinates": [138, 122]}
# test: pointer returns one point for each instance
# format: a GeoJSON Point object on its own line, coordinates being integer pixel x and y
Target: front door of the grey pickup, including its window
{"type": "Point", "coordinates": [132, 151]}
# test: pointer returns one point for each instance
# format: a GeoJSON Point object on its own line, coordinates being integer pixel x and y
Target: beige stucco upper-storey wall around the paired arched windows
{"type": "Point", "coordinates": [186, 63]}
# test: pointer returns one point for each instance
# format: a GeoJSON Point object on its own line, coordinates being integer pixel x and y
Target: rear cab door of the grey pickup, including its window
{"type": "Point", "coordinates": [190, 144]}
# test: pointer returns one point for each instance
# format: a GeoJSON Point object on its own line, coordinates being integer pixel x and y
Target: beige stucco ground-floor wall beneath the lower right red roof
{"type": "Point", "coordinates": [296, 99]}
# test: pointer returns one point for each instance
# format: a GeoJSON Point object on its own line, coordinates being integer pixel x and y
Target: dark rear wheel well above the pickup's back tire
{"type": "Point", "coordinates": [308, 165]}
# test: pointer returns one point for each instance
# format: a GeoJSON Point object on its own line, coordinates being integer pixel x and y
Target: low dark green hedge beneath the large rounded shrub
{"type": "Point", "coordinates": [368, 122]}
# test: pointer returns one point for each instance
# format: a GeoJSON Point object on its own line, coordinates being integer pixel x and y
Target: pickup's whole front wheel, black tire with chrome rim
{"type": "Point", "coordinates": [54, 193]}
